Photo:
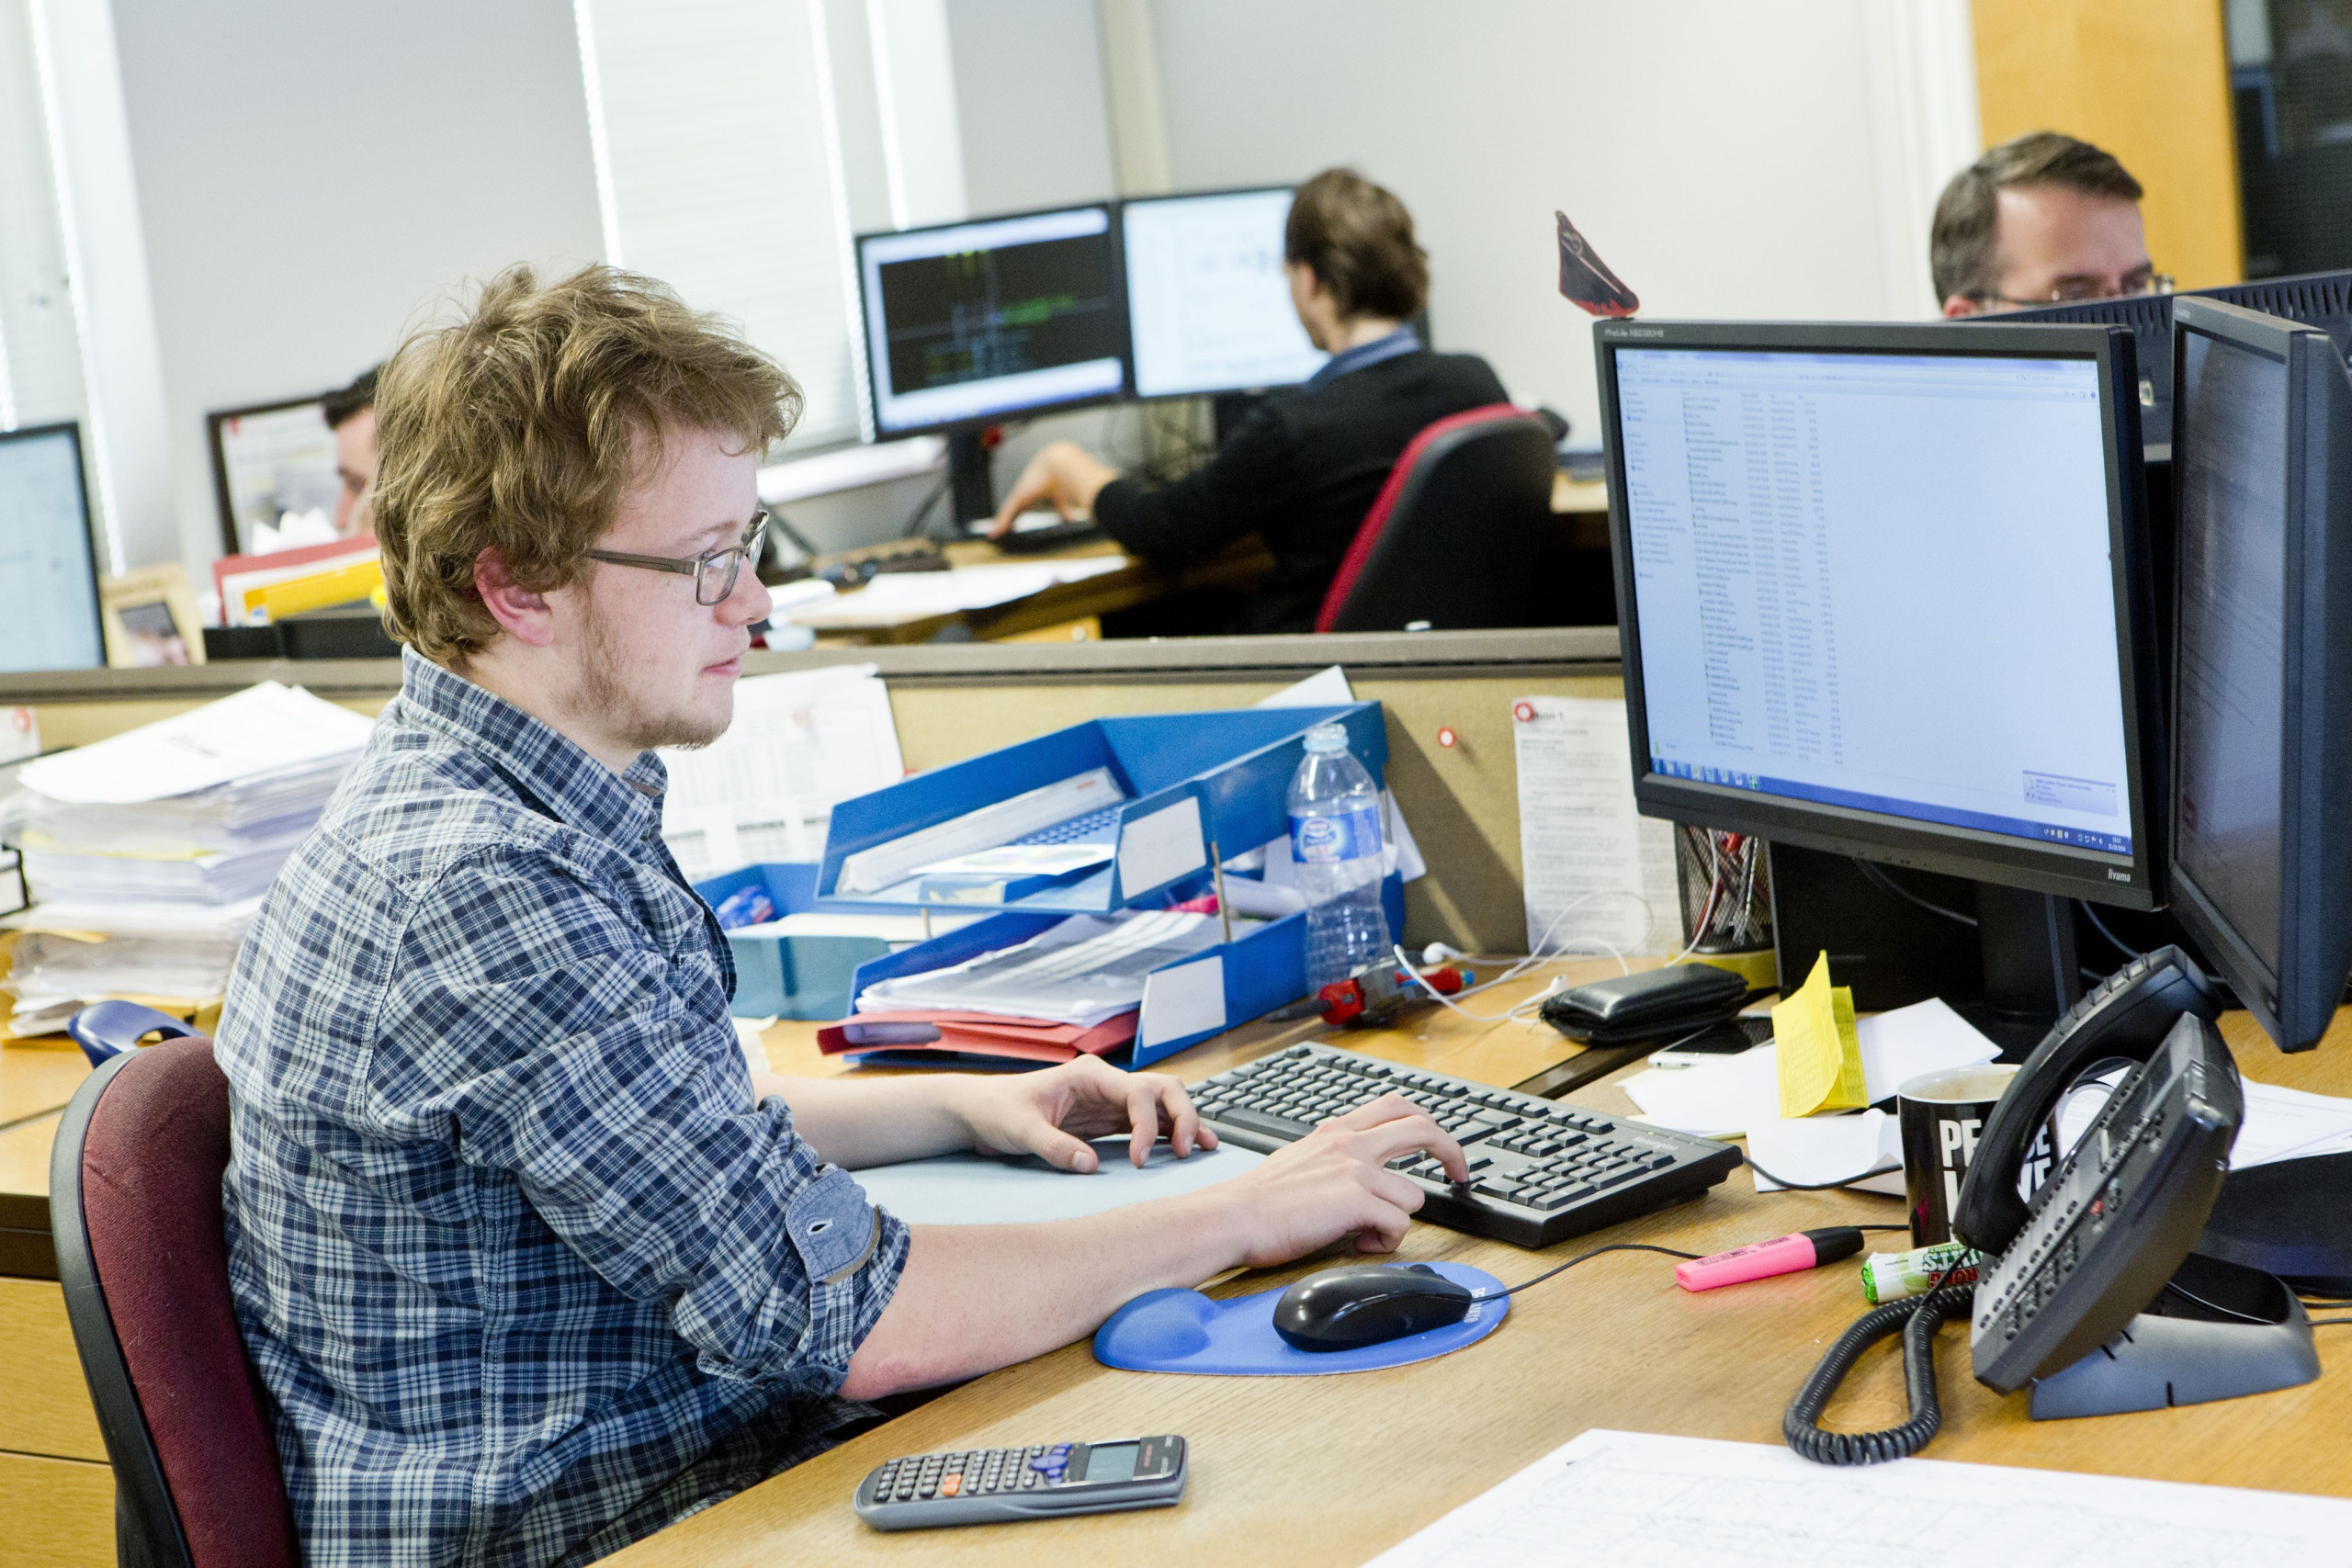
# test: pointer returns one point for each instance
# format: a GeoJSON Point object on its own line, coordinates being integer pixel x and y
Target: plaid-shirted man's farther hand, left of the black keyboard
{"type": "Point", "coordinates": [1057, 1111]}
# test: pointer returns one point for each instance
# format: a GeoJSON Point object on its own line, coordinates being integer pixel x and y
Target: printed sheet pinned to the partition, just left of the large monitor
{"type": "Point", "coordinates": [1598, 873]}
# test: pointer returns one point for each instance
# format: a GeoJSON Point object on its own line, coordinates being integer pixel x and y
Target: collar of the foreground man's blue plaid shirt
{"type": "Point", "coordinates": [547, 768]}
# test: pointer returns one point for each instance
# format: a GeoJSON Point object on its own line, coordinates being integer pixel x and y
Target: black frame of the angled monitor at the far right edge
{"type": "Point", "coordinates": [2311, 690]}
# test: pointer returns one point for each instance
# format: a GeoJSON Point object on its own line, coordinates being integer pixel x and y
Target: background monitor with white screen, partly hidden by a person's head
{"type": "Point", "coordinates": [1208, 300]}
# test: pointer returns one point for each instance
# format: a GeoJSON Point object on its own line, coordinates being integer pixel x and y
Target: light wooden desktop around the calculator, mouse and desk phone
{"type": "Point", "coordinates": [1332, 1470]}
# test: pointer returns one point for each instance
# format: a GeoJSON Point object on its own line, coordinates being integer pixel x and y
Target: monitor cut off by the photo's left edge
{"type": "Point", "coordinates": [48, 561]}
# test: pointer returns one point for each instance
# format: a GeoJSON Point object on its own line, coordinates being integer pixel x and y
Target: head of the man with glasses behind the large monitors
{"type": "Point", "coordinates": [2040, 220]}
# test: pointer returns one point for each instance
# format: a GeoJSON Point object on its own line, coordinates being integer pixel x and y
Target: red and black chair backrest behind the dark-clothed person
{"type": "Point", "coordinates": [1455, 535]}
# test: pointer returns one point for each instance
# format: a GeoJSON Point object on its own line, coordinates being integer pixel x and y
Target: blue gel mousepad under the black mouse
{"type": "Point", "coordinates": [1184, 1332]}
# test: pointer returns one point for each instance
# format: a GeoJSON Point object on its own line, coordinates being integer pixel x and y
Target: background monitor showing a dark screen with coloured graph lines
{"type": "Point", "coordinates": [970, 323]}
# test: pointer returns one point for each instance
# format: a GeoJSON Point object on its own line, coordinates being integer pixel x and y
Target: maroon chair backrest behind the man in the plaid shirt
{"type": "Point", "coordinates": [135, 1200]}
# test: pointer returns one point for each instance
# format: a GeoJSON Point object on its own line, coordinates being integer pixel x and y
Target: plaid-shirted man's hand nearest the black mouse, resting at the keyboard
{"type": "Point", "coordinates": [1337, 1181]}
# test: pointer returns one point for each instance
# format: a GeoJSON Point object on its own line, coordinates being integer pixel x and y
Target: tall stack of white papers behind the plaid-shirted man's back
{"type": "Point", "coordinates": [149, 855]}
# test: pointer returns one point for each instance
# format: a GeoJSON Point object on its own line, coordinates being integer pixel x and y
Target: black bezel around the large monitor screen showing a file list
{"type": "Point", "coordinates": [1906, 843]}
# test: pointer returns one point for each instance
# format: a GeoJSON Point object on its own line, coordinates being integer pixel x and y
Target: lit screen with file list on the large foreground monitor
{"type": "Point", "coordinates": [1880, 582]}
